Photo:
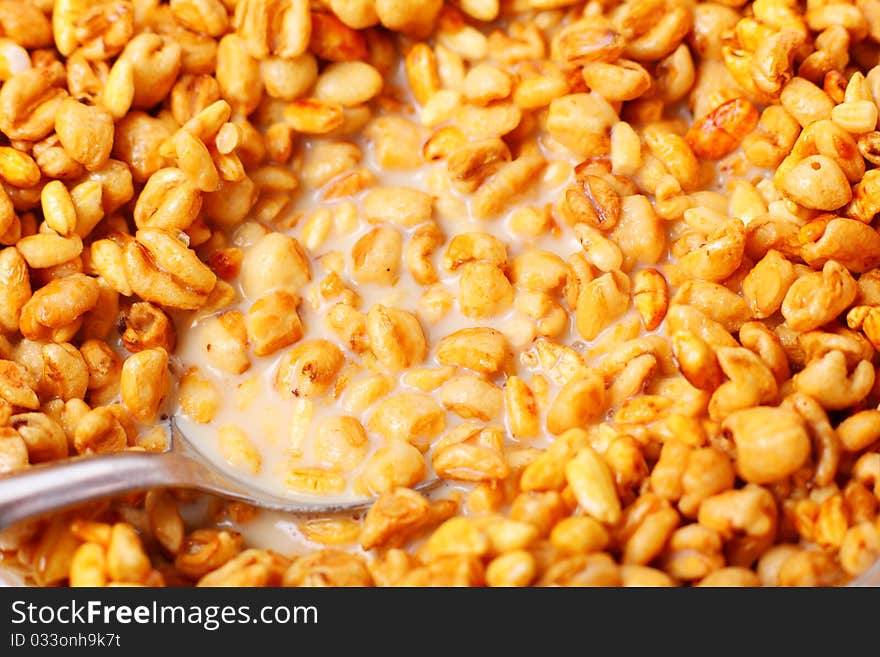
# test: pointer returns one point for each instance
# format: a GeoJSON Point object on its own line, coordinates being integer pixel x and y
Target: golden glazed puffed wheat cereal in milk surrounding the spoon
{"type": "Point", "coordinates": [609, 269]}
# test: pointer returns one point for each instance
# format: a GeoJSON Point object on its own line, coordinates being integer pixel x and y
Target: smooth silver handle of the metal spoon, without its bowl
{"type": "Point", "coordinates": [59, 485]}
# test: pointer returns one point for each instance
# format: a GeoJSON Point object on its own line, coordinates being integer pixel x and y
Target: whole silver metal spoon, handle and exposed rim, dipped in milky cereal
{"type": "Point", "coordinates": [62, 484]}
